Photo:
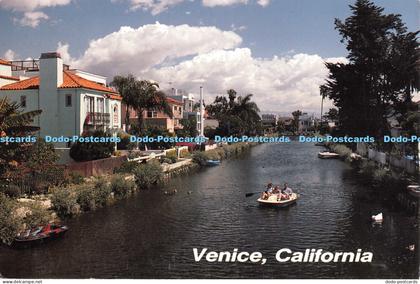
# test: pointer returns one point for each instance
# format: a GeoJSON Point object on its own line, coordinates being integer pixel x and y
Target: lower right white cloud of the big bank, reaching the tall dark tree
{"type": "Point", "coordinates": [279, 84]}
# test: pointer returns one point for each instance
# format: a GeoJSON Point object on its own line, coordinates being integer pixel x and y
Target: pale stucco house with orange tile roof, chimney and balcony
{"type": "Point", "coordinates": [72, 101]}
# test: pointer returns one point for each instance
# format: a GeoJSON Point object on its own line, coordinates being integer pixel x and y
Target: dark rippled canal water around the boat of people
{"type": "Point", "coordinates": [152, 235]}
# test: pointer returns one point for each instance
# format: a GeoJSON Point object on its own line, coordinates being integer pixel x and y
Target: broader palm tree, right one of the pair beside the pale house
{"type": "Point", "coordinates": [148, 97]}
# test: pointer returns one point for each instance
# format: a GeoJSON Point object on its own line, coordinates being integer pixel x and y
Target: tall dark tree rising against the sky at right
{"type": "Point", "coordinates": [381, 74]}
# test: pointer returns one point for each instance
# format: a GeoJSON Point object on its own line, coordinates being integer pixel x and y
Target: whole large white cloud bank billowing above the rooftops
{"type": "Point", "coordinates": [193, 56]}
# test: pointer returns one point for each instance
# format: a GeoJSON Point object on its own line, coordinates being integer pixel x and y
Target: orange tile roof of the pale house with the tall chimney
{"type": "Point", "coordinates": [70, 80]}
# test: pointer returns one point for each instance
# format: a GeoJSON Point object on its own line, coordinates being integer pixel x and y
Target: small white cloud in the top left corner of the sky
{"type": "Point", "coordinates": [30, 10]}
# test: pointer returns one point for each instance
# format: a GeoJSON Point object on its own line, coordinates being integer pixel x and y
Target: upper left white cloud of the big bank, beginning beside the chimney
{"type": "Point", "coordinates": [137, 50]}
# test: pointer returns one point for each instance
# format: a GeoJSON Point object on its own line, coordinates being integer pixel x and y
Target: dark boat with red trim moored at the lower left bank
{"type": "Point", "coordinates": [39, 235]}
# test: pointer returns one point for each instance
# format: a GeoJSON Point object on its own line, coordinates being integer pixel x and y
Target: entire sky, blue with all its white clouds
{"type": "Point", "coordinates": [274, 49]}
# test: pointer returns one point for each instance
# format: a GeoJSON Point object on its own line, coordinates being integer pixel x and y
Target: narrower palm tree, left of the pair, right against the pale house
{"type": "Point", "coordinates": [126, 86]}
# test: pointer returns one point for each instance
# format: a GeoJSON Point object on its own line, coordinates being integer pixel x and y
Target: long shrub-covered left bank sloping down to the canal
{"type": "Point", "coordinates": [93, 193]}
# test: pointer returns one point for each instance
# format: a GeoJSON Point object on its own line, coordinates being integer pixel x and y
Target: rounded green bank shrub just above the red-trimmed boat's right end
{"type": "Point", "coordinates": [64, 202]}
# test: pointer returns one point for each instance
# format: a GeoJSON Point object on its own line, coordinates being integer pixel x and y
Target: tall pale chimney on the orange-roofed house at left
{"type": "Point", "coordinates": [51, 77]}
